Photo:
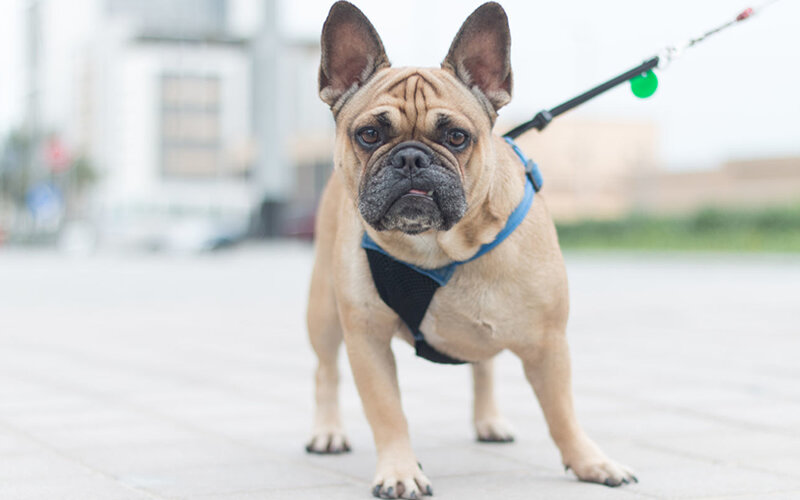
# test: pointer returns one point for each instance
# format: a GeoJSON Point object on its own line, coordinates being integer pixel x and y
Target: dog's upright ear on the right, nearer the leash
{"type": "Point", "coordinates": [480, 54]}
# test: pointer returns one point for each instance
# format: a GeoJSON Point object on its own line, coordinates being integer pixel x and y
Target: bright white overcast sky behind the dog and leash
{"type": "Point", "coordinates": [734, 96]}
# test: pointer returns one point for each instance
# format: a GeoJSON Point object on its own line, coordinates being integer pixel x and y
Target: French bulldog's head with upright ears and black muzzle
{"type": "Point", "coordinates": [413, 144]}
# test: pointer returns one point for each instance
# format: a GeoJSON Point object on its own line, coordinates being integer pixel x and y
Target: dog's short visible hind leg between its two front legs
{"type": "Point", "coordinates": [490, 426]}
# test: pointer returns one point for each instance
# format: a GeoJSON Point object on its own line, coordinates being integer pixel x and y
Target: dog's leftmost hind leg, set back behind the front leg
{"type": "Point", "coordinates": [325, 333]}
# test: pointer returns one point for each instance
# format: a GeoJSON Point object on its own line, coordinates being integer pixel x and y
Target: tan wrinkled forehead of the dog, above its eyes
{"type": "Point", "coordinates": [415, 101]}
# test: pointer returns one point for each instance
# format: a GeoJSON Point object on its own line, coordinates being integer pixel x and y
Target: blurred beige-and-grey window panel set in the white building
{"type": "Point", "coordinates": [190, 128]}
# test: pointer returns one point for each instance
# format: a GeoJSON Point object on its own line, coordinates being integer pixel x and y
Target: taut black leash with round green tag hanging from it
{"type": "Point", "coordinates": [643, 80]}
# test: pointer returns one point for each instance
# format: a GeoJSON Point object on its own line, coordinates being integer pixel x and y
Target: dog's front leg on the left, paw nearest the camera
{"type": "Point", "coordinates": [398, 474]}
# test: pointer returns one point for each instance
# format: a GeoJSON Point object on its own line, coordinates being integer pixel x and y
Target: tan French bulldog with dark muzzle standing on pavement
{"type": "Point", "coordinates": [418, 169]}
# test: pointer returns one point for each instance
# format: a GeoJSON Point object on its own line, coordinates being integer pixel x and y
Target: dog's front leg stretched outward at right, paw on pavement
{"type": "Point", "coordinates": [547, 367]}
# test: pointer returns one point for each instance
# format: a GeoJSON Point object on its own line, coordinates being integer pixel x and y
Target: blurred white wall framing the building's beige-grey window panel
{"type": "Point", "coordinates": [128, 120]}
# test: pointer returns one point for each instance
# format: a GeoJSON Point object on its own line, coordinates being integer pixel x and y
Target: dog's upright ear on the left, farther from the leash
{"type": "Point", "coordinates": [351, 52]}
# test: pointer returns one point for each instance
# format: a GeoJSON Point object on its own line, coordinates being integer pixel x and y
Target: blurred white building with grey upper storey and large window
{"type": "Point", "coordinates": [167, 94]}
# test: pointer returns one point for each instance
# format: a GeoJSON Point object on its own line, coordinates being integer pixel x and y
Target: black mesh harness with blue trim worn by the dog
{"type": "Point", "coordinates": [409, 289]}
